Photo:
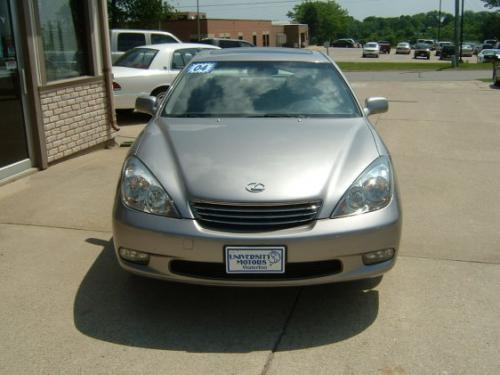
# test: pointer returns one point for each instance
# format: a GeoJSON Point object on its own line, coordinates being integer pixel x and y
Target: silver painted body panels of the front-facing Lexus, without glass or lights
{"type": "Point", "coordinates": [212, 159]}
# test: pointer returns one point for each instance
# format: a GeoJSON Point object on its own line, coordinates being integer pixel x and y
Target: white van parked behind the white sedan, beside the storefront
{"type": "Point", "coordinates": [124, 39]}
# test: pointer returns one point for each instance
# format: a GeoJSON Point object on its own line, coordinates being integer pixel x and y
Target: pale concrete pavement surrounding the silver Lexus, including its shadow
{"type": "Point", "coordinates": [67, 307]}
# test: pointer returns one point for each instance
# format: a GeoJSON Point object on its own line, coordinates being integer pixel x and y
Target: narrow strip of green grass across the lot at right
{"type": "Point", "coordinates": [348, 66]}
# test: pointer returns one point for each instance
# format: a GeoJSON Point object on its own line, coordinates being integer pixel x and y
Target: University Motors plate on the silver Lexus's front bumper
{"type": "Point", "coordinates": [241, 259]}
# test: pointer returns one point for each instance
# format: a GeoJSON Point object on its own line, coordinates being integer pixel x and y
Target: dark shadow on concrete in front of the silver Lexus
{"type": "Point", "coordinates": [116, 307]}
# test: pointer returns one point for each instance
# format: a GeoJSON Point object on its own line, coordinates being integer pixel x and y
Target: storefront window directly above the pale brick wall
{"type": "Point", "coordinates": [65, 33]}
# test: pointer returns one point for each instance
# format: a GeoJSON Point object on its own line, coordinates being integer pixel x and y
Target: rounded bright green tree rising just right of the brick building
{"type": "Point", "coordinates": [326, 19]}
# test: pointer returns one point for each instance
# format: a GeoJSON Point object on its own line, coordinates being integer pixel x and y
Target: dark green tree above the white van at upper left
{"type": "Point", "coordinates": [146, 14]}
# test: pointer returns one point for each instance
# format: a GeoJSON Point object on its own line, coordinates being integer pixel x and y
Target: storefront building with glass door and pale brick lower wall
{"type": "Point", "coordinates": [55, 82]}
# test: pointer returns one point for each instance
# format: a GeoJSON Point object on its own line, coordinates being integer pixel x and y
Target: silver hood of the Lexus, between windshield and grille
{"type": "Point", "coordinates": [296, 159]}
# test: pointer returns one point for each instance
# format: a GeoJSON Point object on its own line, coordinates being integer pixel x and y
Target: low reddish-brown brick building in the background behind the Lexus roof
{"type": "Point", "coordinates": [262, 33]}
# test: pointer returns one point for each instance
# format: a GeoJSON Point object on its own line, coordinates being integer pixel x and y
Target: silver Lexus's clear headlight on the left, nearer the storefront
{"type": "Point", "coordinates": [141, 191]}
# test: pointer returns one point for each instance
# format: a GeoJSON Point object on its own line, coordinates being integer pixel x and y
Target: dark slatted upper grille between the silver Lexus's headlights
{"type": "Point", "coordinates": [251, 217]}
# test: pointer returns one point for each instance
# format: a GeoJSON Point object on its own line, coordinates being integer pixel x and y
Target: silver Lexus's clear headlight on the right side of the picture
{"type": "Point", "coordinates": [371, 191]}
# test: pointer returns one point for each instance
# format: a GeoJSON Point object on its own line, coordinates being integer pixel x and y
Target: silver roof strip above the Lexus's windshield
{"type": "Point", "coordinates": [261, 54]}
